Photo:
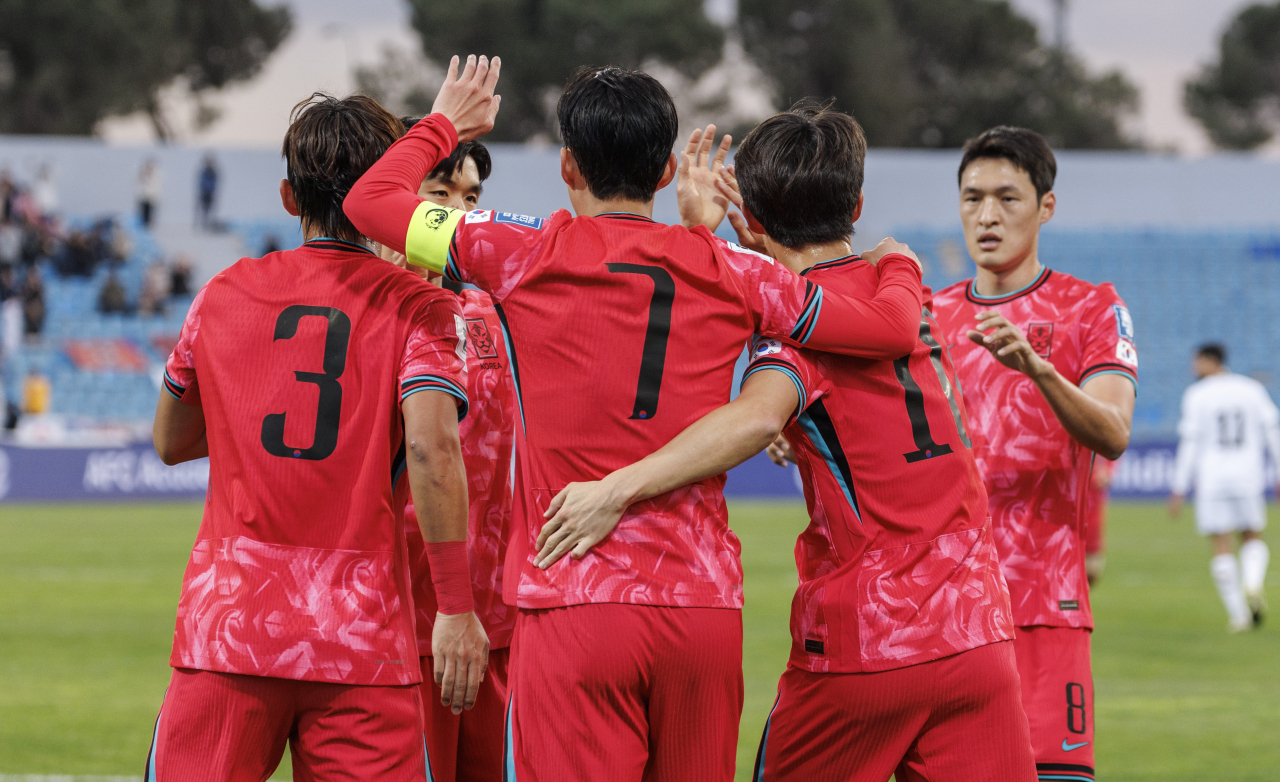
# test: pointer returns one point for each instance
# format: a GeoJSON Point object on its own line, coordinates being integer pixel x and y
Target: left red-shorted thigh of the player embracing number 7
{"type": "Point", "coordinates": [843, 728]}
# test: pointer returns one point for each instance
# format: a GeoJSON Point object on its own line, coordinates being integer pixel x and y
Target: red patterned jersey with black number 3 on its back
{"type": "Point", "coordinates": [301, 360]}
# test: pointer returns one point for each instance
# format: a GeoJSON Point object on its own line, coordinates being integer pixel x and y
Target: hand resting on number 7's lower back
{"type": "Point", "coordinates": [579, 518]}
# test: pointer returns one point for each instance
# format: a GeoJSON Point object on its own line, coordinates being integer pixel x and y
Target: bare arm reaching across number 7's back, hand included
{"type": "Point", "coordinates": [584, 514]}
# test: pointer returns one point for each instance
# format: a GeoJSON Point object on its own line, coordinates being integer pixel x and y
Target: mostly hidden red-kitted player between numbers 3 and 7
{"type": "Point", "coordinates": [469, 747]}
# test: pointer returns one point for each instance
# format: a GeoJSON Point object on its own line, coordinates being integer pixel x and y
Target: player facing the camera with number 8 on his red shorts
{"type": "Point", "coordinates": [1050, 373]}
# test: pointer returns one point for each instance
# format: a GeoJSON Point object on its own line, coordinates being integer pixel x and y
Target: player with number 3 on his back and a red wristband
{"type": "Point", "coordinates": [317, 381]}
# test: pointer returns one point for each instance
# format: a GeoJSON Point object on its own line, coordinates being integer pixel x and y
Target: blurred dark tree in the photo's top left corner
{"type": "Point", "coordinates": [66, 65]}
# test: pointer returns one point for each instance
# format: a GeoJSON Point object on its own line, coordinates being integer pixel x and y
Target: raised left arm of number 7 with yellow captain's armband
{"type": "Point", "coordinates": [385, 202]}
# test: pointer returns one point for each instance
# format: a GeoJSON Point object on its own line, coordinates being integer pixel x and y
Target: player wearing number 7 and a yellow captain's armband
{"type": "Point", "coordinates": [627, 664]}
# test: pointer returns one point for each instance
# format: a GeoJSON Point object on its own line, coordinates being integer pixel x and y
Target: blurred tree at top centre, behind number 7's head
{"type": "Point", "coordinates": [543, 42]}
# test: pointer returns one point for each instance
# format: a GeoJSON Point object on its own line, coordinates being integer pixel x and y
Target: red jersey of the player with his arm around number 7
{"type": "Point", "coordinates": [898, 565]}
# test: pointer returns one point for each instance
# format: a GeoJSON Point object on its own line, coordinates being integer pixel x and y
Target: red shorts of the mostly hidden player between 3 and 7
{"type": "Point", "coordinates": [468, 747]}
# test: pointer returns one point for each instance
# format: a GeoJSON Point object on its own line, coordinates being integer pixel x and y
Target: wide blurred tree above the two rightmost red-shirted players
{"type": "Point", "coordinates": [934, 74]}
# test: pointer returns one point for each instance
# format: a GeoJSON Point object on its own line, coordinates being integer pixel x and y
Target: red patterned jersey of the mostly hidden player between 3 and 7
{"type": "Point", "coordinates": [488, 450]}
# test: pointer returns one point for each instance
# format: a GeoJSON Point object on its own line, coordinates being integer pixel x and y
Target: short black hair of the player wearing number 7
{"type": "Point", "coordinates": [621, 127]}
